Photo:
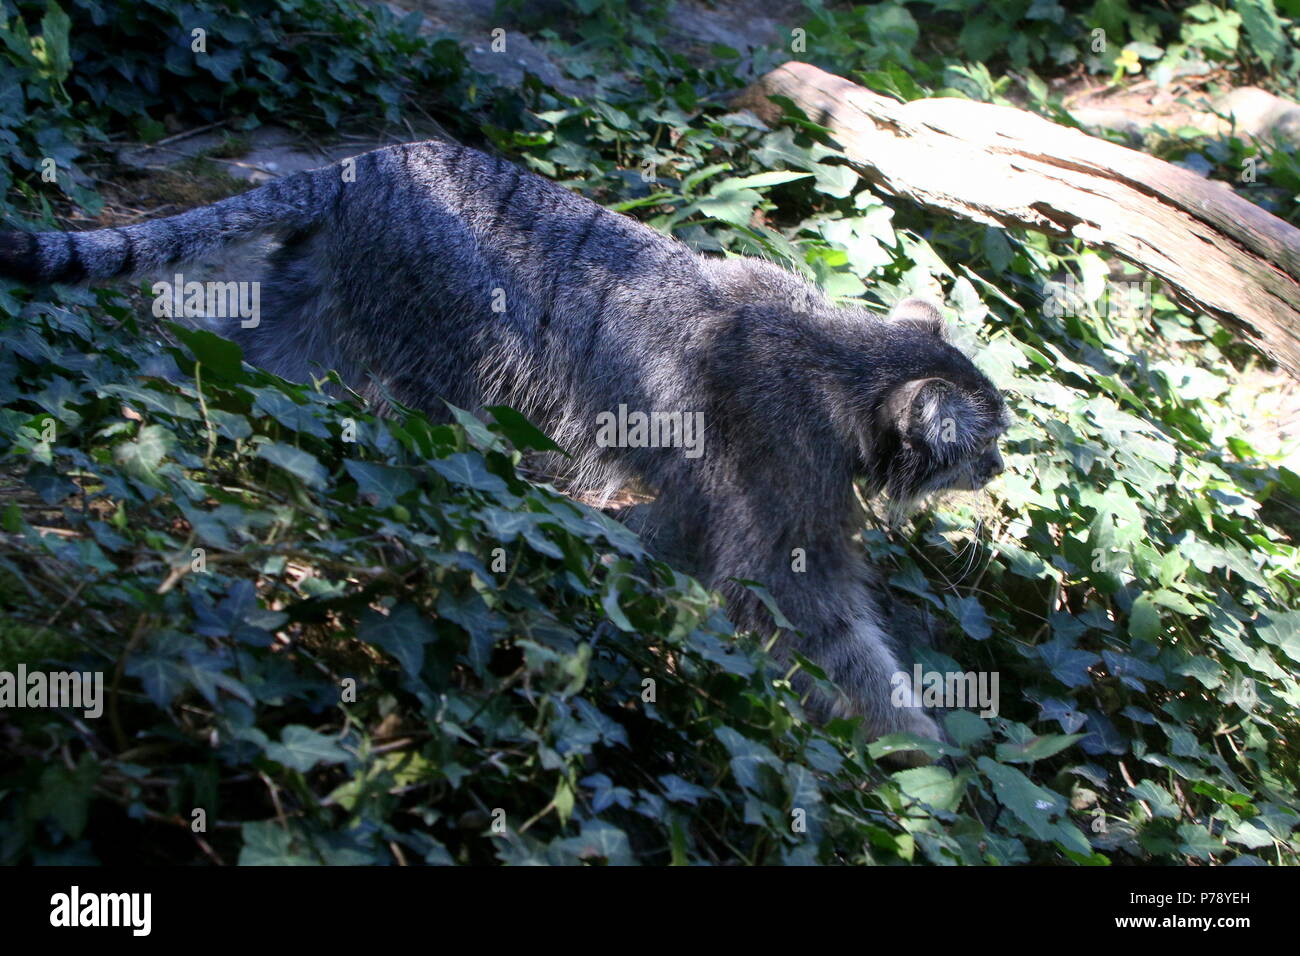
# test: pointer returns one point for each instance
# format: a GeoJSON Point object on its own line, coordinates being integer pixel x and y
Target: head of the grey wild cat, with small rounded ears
{"type": "Point", "coordinates": [941, 426]}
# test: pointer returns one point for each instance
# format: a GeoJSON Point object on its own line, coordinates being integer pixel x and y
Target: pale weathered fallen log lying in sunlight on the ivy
{"type": "Point", "coordinates": [999, 166]}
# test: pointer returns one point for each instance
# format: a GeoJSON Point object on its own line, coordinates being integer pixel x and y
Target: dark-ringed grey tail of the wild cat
{"type": "Point", "coordinates": [294, 202]}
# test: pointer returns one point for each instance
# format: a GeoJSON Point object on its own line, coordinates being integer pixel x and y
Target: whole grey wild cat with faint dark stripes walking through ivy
{"type": "Point", "coordinates": [439, 272]}
